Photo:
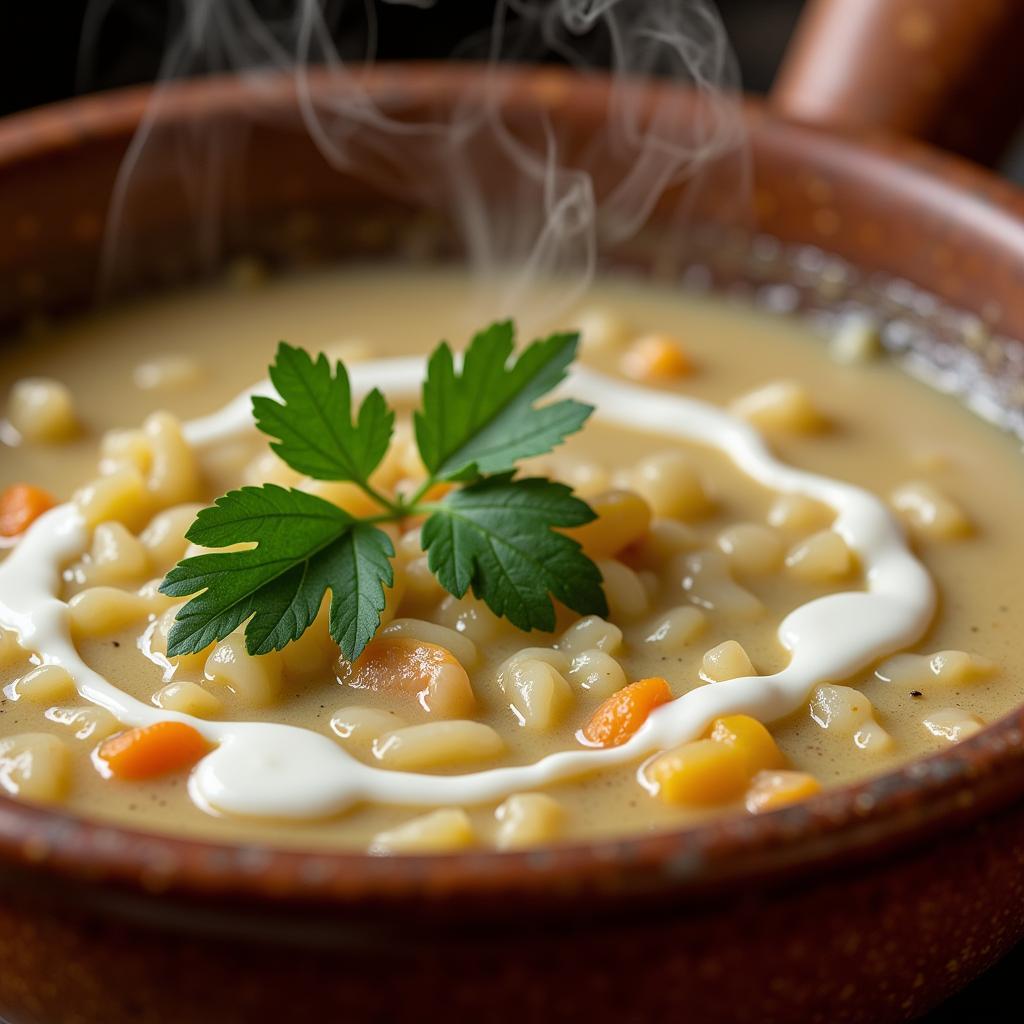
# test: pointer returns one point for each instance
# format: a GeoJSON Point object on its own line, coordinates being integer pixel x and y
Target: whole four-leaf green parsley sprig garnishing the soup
{"type": "Point", "coordinates": [495, 534]}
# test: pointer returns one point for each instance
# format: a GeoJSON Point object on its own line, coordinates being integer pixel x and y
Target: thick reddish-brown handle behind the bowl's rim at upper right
{"type": "Point", "coordinates": [951, 72]}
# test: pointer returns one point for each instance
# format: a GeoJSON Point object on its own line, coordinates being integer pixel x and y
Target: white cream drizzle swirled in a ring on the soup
{"type": "Point", "coordinates": [275, 771]}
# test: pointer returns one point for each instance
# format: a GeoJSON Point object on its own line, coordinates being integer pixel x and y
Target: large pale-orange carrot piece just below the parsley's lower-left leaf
{"type": "Point", "coordinates": [429, 672]}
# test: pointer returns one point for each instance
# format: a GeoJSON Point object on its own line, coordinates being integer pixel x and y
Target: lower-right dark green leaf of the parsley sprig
{"type": "Point", "coordinates": [496, 536]}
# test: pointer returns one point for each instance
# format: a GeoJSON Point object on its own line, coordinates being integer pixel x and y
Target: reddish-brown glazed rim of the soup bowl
{"type": "Point", "coordinates": [909, 804]}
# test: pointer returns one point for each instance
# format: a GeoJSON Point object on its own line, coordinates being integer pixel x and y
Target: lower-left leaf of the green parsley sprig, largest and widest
{"type": "Point", "coordinates": [305, 547]}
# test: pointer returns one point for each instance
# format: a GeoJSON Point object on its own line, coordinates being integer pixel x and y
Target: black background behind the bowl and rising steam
{"type": "Point", "coordinates": [39, 63]}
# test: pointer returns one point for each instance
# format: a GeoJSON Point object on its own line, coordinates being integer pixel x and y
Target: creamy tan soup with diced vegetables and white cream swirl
{"type": "Point", "coordinates": [810, 563]}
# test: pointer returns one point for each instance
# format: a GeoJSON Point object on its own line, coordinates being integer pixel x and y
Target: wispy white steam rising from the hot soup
{"type": "Point", "coordinates": [527, 204]}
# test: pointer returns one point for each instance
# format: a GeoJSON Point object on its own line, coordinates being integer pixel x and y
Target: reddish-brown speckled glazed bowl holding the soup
{"type": "Point", "coordinates": [869, 904]}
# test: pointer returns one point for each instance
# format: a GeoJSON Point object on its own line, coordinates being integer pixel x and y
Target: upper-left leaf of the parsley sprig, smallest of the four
{"type": "Point", "coordinates": [314, 423]}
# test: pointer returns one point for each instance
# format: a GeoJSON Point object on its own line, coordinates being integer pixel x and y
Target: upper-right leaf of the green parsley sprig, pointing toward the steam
{"type": "Point", "coordinates": [483, 420]}
